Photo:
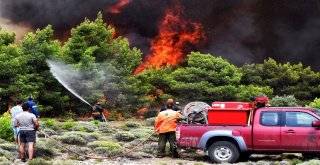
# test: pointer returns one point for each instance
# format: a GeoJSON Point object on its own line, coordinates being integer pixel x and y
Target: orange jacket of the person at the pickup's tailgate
{"type": "Point", "coordinates": [165, 116]}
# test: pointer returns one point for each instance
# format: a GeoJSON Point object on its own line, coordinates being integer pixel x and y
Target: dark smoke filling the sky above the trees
{"type": "Point", "coordinates": [243, 31]}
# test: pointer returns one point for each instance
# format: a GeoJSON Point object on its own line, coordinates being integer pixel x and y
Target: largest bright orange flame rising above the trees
{"type": "Point", "coordinates": [175, 33]}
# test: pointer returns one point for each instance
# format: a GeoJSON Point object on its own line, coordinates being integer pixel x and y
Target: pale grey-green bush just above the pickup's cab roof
{"type": "Point", "coordinates": [283, 101]}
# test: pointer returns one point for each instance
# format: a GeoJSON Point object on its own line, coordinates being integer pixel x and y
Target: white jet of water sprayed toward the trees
{"type": "Point", "coordinates": [66, 75]}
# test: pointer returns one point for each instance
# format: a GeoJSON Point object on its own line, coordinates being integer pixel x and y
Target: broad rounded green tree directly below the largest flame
{"type": "Point", "coordinates": [205, 78]}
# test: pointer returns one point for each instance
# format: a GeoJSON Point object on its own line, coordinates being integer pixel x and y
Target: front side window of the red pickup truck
{"type": "Point", "coordinates": [299, 119]}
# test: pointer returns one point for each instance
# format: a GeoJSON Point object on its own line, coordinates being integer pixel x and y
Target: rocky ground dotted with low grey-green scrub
{"type": "Point", "coordinates": [113, 140]}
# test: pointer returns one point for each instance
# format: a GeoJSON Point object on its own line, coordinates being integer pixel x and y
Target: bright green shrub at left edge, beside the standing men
{"type": "Point", "coordinates": [6, 131]}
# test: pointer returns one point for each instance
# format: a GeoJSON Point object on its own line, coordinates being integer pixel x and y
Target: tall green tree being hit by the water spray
{"type": "Point", "coordinates": [107, 64]}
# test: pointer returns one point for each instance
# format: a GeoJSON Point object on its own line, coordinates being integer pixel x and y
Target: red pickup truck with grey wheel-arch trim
{"type": "Point", "coordinates": [268, 130]}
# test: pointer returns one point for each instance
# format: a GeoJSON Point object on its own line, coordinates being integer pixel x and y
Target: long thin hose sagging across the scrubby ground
{"type": "Point", "coordinates": [97, 157]}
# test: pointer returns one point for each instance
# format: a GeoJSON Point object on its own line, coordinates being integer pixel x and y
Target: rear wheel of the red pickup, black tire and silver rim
{"type": "Point", "coordinates": [223, 152]}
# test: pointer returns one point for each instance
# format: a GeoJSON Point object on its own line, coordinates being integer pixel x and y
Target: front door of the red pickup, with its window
{"type": "Point", "coordinates": [297, 134]}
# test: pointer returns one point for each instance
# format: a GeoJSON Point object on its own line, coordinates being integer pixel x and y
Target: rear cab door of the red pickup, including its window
{"type": "Point", "coordinates": [266, 131]}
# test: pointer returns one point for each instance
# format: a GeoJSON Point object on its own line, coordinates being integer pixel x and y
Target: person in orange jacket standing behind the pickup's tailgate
{"type": "Point", "coordinates": [165, 124]}
